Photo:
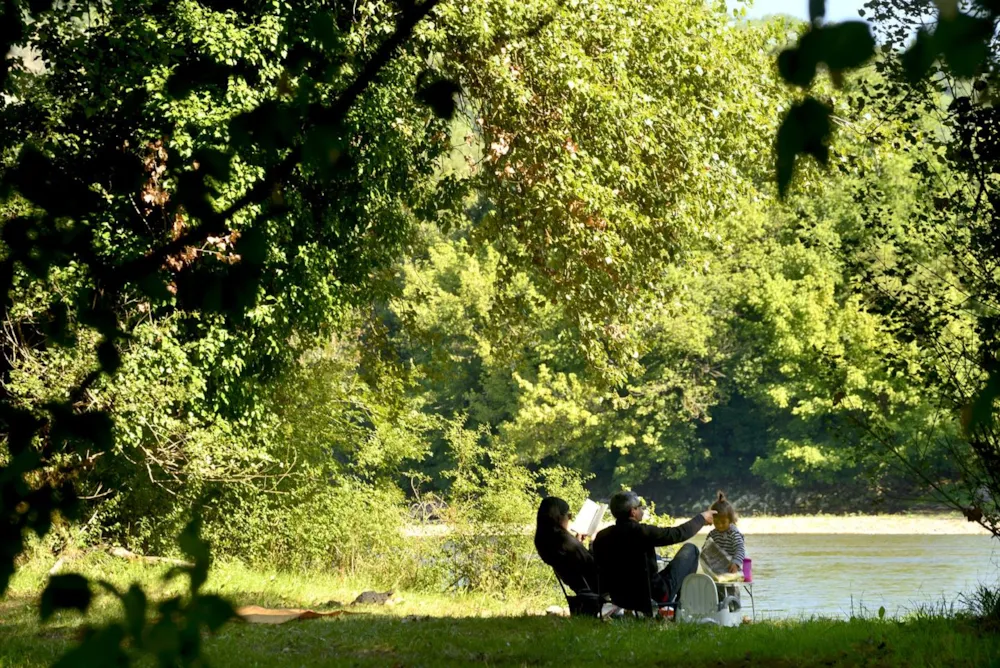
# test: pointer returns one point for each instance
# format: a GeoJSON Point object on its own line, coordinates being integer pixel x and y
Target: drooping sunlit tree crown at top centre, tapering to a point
{"type": "Point", "coordinates": [615, 138]}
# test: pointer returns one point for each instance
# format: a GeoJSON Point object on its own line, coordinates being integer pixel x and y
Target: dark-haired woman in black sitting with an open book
{"type": "Point", "coordinates": [561, 550]}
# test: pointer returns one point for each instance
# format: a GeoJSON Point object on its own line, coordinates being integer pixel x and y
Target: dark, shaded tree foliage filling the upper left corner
{"type": "Point", "coordinates": [180, 210]}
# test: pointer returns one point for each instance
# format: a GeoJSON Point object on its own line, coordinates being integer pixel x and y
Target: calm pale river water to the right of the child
{"type": "Point", "coordinates": [824, 575]}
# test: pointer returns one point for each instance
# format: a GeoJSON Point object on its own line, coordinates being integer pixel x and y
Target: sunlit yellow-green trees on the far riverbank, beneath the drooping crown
{"type": "Point", "coordinates": [748, 370]}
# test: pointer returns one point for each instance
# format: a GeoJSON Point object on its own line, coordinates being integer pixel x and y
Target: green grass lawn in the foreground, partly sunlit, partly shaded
{"type": "Point", "coordinates": [432, 630]}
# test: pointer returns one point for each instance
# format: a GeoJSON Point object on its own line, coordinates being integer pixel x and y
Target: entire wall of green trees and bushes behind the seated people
{"type": "Point", "coordinates": [562, 266]}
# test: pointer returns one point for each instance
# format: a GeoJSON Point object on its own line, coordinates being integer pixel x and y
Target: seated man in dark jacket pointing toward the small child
{"type": "Point", "coordinates": [620, 547]}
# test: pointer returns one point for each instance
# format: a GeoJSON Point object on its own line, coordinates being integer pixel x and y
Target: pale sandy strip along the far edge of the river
{"type": "Point", "coordinates": [945, 525]}
